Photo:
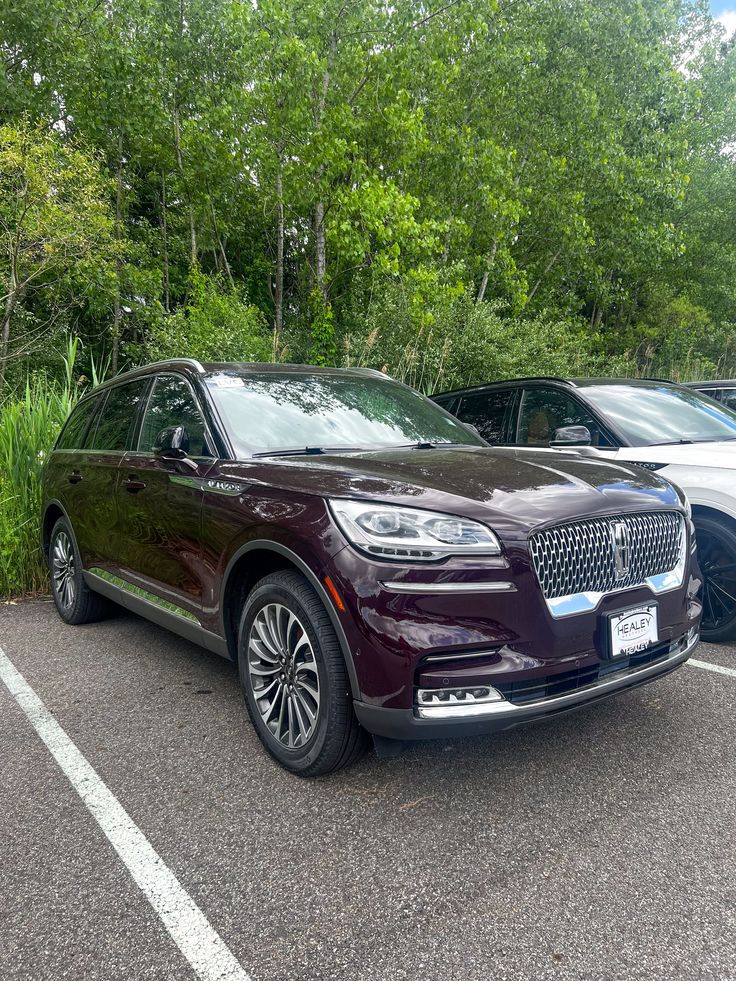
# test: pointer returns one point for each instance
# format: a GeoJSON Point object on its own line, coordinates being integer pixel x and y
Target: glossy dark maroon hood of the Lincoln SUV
{"type": "Point", "coordinates": [515, 489]}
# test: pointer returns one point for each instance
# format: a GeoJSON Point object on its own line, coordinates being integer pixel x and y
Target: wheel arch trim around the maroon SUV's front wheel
{"type": "Point", "coordinates": [247, 566]}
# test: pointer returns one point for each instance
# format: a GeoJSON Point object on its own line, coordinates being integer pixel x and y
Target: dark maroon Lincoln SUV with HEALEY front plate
{"type": "Point", "coordinates": [367, 560]}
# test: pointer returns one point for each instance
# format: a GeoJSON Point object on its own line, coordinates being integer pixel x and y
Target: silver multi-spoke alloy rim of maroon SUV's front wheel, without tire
{"type": "Point", "coordinates": [283, 675]}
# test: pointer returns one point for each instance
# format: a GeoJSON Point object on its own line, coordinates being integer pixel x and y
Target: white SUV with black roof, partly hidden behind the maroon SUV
{"type": "Point", "coordinates": [676, 431]}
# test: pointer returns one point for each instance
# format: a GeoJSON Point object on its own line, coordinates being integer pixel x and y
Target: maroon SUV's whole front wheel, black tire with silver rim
{"type": "Point", "coordinates": [311, 651]}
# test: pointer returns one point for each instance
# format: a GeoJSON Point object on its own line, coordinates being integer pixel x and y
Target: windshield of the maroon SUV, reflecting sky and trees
{"type": "Point", "coordinates": [272, 411]}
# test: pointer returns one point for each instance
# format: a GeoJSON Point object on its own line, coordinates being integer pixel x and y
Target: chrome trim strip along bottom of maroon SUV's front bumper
{"type": "Point", "coordinates": [491, 709]}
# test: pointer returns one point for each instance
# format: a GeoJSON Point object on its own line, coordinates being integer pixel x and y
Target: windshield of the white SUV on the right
{"type": "Point", "coordinates": [650, 415]}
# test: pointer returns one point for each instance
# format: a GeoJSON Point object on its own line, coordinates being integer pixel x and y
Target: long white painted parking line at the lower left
{"type": "Point", "coordinates": [183, 919]}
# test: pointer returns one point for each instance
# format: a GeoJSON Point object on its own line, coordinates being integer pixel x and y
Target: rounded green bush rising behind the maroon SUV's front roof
{"type": "Point", "coordinates": [217, 324]}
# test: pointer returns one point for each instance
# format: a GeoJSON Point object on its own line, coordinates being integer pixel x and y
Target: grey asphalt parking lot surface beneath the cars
{"type": "Point", "coordinates": [598, 845]}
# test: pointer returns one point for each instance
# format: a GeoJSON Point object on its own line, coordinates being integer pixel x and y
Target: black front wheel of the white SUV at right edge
{"type": "Point", "coordinates": [716, 542]}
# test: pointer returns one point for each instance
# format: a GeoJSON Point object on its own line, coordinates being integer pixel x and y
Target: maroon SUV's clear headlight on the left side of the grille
{"type": "Point", "coordinates": [407, 533]}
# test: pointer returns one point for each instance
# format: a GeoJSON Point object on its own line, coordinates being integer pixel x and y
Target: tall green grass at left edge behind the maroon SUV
{"type": "Point", "coordinates": [29, 425]}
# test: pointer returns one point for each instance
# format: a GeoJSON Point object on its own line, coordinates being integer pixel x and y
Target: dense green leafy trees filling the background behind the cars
{"type": "Point", "coordinates": [561, 163]}
